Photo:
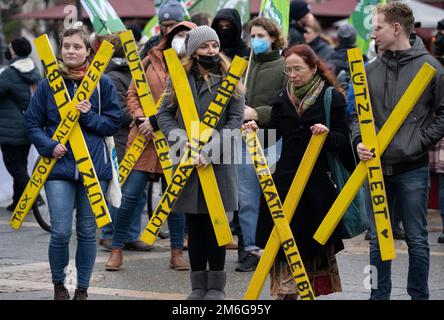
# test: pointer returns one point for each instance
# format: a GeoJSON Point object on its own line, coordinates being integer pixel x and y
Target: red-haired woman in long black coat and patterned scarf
{"type": "Point", "coordinates": [298, 114]}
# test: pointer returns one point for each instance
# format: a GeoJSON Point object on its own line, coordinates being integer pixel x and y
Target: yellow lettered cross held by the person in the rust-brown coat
{"type": "Point", "coordinates": [149, 108]}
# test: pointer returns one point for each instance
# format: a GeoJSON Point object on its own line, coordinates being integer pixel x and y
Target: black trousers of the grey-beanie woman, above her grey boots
{"type": "Point", "coordinates": [202, 244]}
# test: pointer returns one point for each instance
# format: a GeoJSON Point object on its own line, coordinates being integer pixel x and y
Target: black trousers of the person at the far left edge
{"type": "Point", "coordinates": [16, 162]}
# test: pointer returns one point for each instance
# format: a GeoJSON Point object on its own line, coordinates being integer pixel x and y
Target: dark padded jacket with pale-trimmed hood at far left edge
{"type": "Point", "coordinates": [15, 93]}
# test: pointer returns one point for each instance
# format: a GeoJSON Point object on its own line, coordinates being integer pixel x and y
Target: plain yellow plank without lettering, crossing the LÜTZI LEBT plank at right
{"type": "Point", "coordinates": [388, 131]}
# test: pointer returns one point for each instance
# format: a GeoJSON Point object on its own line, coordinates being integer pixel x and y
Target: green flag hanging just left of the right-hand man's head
{"type": "Point", "coordinates": [361, 20]}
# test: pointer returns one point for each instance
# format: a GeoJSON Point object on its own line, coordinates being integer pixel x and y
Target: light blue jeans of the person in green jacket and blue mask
{"type": "Point", "coordinates": [250, 193]}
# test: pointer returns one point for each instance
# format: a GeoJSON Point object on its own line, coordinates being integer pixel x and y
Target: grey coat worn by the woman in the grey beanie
{"type": "Point", "coordinates": [191, 200]}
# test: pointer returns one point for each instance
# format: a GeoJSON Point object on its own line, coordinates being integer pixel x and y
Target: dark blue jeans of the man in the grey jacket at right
{"type": "Point", "coordinates": [407, 191]}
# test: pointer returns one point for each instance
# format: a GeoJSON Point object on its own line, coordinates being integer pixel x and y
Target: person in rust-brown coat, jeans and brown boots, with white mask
{"type": "Point", "coordinates": [148, 167]}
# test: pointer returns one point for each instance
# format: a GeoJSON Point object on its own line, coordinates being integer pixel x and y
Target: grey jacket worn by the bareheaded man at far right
{"type": "Point", "coordinates": [388, 79]}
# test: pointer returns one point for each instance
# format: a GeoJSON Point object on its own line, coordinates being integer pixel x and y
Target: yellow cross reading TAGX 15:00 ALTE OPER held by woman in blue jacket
{"type": "Point", "coordinates": [67, 127]}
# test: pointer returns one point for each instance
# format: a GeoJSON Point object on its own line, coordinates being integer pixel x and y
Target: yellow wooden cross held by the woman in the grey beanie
{"type": "Point", "coordinates": [184, 170]}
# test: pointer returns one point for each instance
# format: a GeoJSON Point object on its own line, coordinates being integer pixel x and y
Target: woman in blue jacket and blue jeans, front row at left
{"type": "Point", "coordinates": [99, 117]}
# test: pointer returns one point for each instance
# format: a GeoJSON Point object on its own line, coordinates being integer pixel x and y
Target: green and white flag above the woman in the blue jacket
{"type": "Point", "coordinates": [103, 17]}
